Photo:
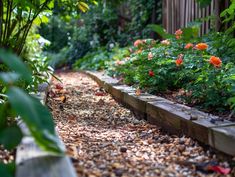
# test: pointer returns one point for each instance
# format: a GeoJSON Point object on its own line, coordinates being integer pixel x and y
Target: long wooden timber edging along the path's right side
{"type": "Point", "coordinates": [172, 117]}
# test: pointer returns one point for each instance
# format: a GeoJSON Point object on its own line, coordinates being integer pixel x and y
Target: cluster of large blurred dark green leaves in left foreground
{"type": "Point", "coordinates": [16, 102]}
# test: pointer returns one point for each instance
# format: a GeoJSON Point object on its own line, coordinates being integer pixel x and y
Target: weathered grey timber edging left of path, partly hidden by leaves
{"type": "Point", "coordinates": [31, 161]}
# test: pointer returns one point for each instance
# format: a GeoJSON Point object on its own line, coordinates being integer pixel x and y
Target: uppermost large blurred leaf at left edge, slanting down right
{"type": "Point", "coordinates": [15, 64]}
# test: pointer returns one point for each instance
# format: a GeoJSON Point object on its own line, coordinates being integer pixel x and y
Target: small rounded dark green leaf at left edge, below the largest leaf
{"type": "Point", "coordinates": [10, 137]}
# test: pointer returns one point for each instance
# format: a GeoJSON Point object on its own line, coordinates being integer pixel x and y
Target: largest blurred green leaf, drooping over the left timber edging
{"type": "Point", "coordinates": [37, 118]}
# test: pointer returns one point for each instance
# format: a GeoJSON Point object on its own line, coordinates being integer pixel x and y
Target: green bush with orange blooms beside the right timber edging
{"type": "Point", "coordinates": [195, 71]}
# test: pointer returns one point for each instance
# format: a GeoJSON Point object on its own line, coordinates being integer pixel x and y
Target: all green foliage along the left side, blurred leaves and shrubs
{"type": "Point", "coordinates": [18, 34]}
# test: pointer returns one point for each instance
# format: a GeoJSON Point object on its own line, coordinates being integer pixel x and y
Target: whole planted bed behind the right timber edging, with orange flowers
{"type": "Point", "coordinates": [193, 71]}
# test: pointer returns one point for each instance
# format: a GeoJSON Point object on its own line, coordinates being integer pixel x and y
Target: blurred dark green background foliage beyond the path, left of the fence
{"type": "Point", "coordinates": [107, 23]}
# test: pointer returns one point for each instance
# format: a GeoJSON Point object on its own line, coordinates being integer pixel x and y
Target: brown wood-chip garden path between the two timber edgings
{"type": "Point", "coordinates": [104, 138]}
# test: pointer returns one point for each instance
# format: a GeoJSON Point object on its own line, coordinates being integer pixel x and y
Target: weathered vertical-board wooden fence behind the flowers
{"type": "Point", "coordinates": [178, 13]}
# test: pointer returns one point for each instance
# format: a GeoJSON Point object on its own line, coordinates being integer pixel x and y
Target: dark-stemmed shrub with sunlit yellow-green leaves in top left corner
{"type": "Point", "coordinates": [17, 18]}
